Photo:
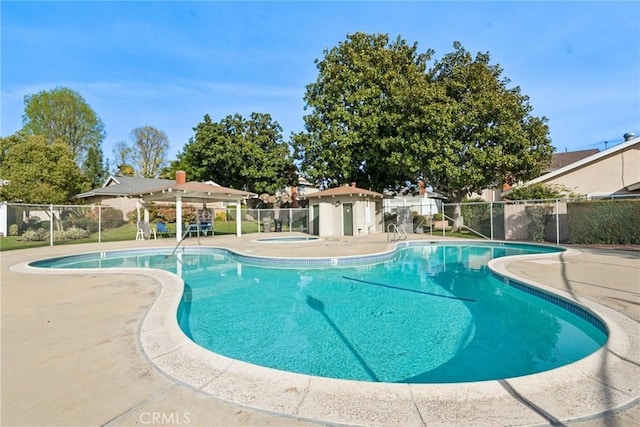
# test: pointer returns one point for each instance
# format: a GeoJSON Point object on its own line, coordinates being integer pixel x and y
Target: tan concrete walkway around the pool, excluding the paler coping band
{"type": "Point", "coordinates": [71, 353]}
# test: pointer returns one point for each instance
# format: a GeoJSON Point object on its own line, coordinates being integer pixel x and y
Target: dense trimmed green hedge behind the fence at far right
{"type": "Point", "coordinates": [604, 222]}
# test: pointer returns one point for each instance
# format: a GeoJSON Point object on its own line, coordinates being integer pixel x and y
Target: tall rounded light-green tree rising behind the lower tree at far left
{"type": "Point", "coordinates": [63, 114]}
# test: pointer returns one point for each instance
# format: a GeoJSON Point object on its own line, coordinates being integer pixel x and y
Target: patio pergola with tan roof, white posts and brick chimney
{"type": "Point", "coordinates": [195, 192]}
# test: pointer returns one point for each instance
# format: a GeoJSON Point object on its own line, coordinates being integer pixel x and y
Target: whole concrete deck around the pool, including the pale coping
{"type": "Point", "coordinates": [72, 353]}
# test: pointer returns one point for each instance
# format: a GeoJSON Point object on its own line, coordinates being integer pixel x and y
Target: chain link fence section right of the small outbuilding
{"type": "Point", "coordinates": [553, 221]}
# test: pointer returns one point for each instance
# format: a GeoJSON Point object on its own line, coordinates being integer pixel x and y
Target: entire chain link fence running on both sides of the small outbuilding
{"type": "Point", "coordinates": [553, 221]}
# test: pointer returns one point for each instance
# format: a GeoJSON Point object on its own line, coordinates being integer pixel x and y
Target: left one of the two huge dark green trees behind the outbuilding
{"type": "Point", "coordinates": [371, 107]}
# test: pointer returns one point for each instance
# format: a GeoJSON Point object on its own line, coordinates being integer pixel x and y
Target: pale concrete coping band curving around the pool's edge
{"type": "Point", "coordinates": [343, 402]}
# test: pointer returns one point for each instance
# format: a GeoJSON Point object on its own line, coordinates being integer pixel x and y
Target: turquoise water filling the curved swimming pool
{"type": "Point", "coordinates": [430, 313]}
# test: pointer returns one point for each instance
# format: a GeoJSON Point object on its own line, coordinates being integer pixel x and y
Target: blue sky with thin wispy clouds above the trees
{"type": "Point", "coordinates": [167, 64]}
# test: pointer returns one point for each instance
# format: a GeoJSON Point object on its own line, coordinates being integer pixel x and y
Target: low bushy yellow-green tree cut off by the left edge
{"type": "Point", "coordinates": [39, 172]}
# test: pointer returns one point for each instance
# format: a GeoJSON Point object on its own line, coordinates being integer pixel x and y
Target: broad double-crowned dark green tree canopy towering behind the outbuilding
{"type": "Point", "coordinates": [381, 118]}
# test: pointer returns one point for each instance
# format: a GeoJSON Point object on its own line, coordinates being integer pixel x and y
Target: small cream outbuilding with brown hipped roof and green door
{"type": "Point", "coordinates": [345, 211]}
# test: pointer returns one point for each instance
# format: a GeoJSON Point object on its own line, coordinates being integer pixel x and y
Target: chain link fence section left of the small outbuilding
{"type": "Point", "coordinates": [30, 225]}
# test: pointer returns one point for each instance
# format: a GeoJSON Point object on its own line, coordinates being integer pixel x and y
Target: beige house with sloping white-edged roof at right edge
{"type": "Point", "coordinates": [614, 172]}
